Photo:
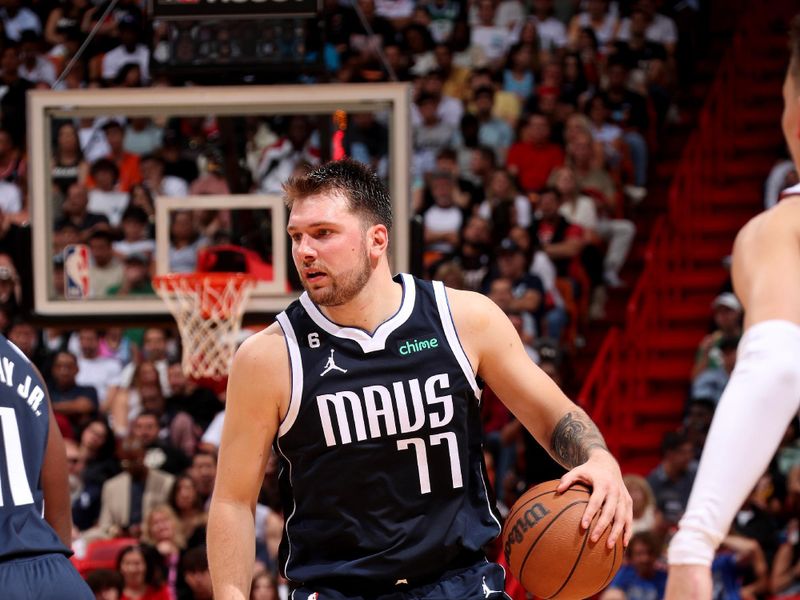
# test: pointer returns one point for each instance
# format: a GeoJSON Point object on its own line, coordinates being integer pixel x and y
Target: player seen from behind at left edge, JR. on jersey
{"type": "Point", "coordinates": [33, 482]}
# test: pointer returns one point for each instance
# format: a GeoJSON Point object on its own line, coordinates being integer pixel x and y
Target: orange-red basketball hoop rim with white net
{"type": "Point", "coordinates": [208, 308]}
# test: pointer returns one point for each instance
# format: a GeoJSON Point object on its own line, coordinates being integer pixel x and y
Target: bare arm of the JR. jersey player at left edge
{"type": "Point", "coordinates": [55, 484]}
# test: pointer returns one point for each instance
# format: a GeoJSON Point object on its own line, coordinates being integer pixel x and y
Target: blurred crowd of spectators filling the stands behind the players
{"type": "Point", "coordinates": [535, 126]}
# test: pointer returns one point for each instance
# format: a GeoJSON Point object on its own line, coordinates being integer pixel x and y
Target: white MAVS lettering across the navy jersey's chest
{"type": "Point", "coordinates": [377, 411]}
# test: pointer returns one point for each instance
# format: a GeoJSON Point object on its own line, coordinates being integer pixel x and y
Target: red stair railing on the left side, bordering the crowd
{"type": "Point", "coordinates": [609, 393]}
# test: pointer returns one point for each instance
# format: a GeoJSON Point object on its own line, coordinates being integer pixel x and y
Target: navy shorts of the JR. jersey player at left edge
{"type": "Point", "coordinates": [45, 577]}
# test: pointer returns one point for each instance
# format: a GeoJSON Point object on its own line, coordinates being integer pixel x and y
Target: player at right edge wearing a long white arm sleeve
{"type": "Point", "coordinates": [763, 394]}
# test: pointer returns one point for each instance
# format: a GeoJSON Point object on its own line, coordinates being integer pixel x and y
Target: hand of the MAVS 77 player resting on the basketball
{"type": "Point", "coordinates": [610, 497]}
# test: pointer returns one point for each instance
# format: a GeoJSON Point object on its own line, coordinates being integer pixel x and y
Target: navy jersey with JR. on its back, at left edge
{"type": "Point", "coordinates": [24, 422]}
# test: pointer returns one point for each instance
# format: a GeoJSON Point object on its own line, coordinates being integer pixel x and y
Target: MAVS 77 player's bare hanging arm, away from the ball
{"type": "Point", "coordinates": [258, 387]}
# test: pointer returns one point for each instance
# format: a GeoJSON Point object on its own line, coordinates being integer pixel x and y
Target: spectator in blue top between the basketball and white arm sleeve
{"type": "Point", "coordinates": [642, 576]}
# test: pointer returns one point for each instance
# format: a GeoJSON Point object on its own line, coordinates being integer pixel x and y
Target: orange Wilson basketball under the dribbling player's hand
{"type": "Point", "coordinates": [548, 552]}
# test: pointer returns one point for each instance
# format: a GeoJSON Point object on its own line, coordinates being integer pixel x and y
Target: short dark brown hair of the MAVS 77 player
{"type": "Point", "coordinates": [365, 192]}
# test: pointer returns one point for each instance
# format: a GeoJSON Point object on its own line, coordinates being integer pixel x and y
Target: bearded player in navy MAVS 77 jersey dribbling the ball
{"type": "Point", "coordinates": [370, 384]}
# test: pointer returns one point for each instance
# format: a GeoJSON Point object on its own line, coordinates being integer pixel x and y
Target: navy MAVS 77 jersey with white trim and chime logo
{"type": "Point", "coordinates": [382, 475]}
